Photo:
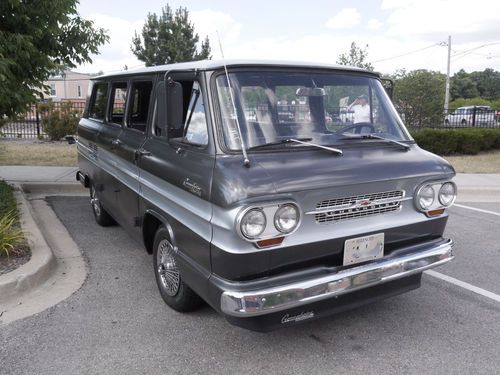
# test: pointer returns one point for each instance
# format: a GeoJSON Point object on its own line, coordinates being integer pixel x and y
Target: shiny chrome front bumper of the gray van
{"type": "Point", "coordinates": [269, 300]}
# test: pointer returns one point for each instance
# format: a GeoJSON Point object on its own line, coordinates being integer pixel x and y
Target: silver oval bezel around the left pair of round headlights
{"type": "Point", "coordinates": [269, 210]}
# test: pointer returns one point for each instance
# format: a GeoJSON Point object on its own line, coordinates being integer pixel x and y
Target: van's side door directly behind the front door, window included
{"type": "Point", "coordinates": [129, 151]}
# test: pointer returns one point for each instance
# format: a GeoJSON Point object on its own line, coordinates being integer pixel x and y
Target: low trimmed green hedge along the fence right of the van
{"type": "Point", "coordinates": [457, 141]}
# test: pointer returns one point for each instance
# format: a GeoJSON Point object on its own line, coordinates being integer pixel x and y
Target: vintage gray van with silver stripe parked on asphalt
{"type": "Point", "coordinates": [253, 195]}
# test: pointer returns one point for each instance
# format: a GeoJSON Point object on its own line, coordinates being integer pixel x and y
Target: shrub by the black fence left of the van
{"type": "Point", "coordinates": [59, 122]}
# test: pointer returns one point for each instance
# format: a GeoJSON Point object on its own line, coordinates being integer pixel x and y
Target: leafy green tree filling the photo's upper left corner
{"type": "Point", "coordinates": [36, 37]}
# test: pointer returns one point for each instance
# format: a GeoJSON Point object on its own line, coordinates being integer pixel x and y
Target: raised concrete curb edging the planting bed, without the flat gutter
{"type": "Point", "coordinates": [42, 263]}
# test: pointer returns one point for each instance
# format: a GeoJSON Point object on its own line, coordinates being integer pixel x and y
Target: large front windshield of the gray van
{"type": "Point", "coordinates": [273, 107]}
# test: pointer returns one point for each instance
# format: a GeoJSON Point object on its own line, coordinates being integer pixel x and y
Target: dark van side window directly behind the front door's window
{"type": "Point", "coordinates": [138, 108]}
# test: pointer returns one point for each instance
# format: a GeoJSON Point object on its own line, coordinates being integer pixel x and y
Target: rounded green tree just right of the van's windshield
{"type": "Point", "coordinates": [419, 96]}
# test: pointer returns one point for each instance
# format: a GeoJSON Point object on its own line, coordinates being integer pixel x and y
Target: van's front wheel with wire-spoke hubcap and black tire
{"type": "Point", "coordinates": [174, 291]}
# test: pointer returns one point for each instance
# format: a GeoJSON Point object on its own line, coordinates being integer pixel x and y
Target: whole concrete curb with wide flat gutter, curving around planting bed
{"type": "Point", "coordinates": [57, 268]}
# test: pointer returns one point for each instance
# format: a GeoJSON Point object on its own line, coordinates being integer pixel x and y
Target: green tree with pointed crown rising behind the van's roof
{"type": "Point", "coordinates": [169, 38]}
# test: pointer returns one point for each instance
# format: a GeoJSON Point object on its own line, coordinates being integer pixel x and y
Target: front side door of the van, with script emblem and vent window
{"type": "Point", "coordinates": [176, 179]}
